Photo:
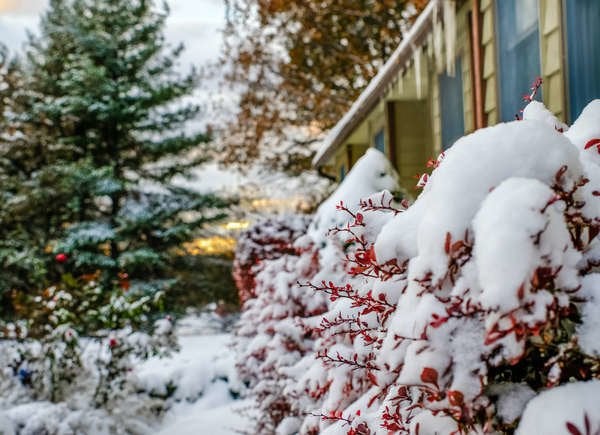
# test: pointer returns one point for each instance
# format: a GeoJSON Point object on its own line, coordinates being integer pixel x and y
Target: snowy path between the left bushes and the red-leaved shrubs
{"type": "Point", "coordinates": [204, 374]}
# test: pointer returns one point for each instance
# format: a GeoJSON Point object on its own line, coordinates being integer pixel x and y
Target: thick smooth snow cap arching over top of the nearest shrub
{"type": "Point", "coordinates": [471, 169]}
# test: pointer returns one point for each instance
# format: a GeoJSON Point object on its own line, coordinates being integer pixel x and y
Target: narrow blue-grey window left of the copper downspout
{"type": "Point", "coordinates": [451, 106]}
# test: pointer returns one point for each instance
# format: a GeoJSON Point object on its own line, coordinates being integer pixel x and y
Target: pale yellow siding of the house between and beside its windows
{"type": "Point", "coordinates": [426, 101]}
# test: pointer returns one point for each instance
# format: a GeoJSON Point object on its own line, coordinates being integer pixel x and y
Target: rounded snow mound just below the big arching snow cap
{"type": "Point", "coordinates": [511, 219]}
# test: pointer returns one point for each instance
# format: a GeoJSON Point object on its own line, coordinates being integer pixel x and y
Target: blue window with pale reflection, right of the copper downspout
{"type": "Point", "coordinates": [518, 52]}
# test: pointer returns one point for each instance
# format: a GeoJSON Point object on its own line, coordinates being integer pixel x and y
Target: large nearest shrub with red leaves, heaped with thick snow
{"type": "Point", "coordinates": [477, 301]}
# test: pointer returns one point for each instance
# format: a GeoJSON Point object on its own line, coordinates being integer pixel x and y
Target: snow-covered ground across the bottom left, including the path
{"type": "Point", "coordinates": [199, 381]}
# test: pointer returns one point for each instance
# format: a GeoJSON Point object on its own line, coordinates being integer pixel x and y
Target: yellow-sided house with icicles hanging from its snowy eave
{"type": "Point", "coordinates": [463, 65]}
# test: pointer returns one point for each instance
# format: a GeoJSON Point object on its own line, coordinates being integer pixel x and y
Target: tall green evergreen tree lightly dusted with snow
{"type": "Point", "coordinates": [108, 131]}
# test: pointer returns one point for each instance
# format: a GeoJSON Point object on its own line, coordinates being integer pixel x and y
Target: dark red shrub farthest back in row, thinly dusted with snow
{"type": "Point", "coordinates": [269, 238]}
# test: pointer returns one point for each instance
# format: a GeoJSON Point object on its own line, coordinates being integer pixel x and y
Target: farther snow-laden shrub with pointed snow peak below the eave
{"type": "Point", "coordinates": [275, 331]}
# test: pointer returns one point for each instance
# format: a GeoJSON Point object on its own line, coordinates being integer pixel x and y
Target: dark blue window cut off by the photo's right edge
{"type": "Point", "coordinates": [583, 53]}
